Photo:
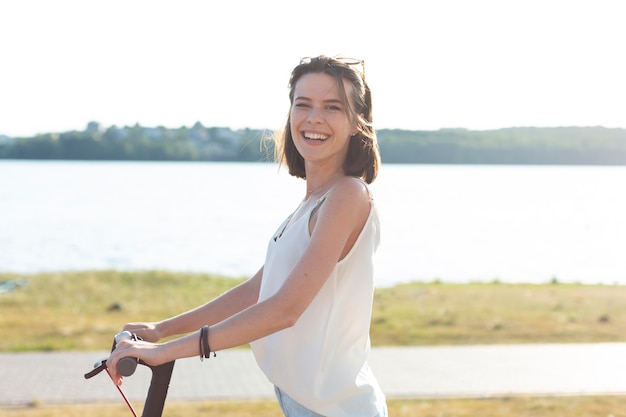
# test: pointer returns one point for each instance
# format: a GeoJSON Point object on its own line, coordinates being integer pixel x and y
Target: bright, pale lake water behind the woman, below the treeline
{"type": "Point", "coordinates": [456, 223]}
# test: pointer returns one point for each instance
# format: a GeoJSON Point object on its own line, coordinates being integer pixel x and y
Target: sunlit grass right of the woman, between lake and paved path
{"type": "Point", "coordinates": [495, 313]}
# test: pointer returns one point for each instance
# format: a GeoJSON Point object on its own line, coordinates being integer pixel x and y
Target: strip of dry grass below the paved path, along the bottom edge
{"type": "Point", "coordinates": [489, 407]}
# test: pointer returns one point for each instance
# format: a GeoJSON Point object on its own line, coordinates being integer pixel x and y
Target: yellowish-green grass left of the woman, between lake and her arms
{"type": "Point", "coordinates": [74, 311]}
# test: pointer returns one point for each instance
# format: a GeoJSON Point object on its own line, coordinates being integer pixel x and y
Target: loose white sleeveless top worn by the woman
{"type": "Point", "coordinates": [321, 362]}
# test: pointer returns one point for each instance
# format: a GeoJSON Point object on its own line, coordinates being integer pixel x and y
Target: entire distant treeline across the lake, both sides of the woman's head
{"type": "Point", "coordinates": [527, 145]}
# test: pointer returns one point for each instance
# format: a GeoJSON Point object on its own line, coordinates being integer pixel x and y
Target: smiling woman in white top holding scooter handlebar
{"type": "Point", "coordinates": [306, 312]}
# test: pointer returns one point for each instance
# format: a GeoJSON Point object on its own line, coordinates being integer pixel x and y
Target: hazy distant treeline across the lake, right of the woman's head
{"type": "Point", "coordinates": [520, 145]}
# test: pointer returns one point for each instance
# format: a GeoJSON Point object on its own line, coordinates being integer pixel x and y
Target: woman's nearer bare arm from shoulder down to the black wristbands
{"type": "Point", "coordinates": [334, 230]}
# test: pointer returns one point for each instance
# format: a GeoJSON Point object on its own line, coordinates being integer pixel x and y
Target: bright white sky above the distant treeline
{"type": "Point", "coordinates": [475, 64]}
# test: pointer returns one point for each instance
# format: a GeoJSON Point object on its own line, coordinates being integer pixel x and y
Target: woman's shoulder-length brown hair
{"type": "Point", "coordinates": [363, 157]}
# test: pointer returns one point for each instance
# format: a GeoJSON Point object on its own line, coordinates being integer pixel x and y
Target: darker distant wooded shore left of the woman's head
{"type": "Point", "coordinates": [137, 143]}
